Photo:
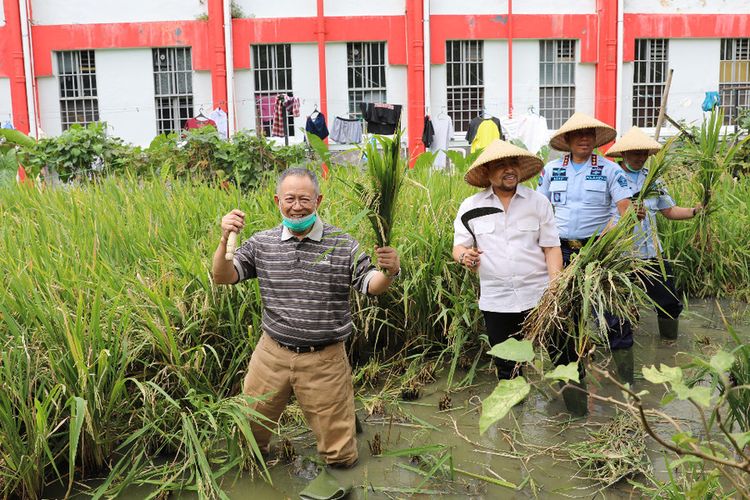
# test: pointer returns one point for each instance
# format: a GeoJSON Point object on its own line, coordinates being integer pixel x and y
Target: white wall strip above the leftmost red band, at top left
{"type": "Point", "coordinates": [114, 11]}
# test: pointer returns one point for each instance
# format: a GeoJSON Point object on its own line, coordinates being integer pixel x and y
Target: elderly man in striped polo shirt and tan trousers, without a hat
{"type": "Point", "coordinates": [305, 269]}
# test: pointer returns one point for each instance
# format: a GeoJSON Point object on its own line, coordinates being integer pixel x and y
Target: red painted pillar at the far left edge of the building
{"type": "Point", "coordinates": [12, 64]}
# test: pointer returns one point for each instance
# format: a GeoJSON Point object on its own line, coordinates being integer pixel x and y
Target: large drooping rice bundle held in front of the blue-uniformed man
{"type": "Point", "coordinates": [605, 276]}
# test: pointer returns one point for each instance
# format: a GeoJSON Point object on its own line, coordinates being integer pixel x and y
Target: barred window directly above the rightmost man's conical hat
{"type": "Point", "coordinates": [649, 77]}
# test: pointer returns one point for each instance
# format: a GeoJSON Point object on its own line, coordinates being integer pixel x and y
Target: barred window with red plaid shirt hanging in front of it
{"type": "Point", "coordinates": [272, 72]}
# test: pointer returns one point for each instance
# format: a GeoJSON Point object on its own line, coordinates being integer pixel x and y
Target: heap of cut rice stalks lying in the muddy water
{"type": "Point", "coordinates": [614, 452]}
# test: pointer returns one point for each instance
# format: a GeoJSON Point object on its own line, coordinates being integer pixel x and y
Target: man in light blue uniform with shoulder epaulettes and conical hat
{"type": "Point", "coordinates": [582, 187]}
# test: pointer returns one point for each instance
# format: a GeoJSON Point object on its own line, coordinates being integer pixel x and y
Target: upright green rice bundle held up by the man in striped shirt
{"type": "Point", "coordinates": [378, 194]}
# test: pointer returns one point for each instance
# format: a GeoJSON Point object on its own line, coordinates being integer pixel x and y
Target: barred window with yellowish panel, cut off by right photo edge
{"type": "Point", "coordinates": [734, 77]}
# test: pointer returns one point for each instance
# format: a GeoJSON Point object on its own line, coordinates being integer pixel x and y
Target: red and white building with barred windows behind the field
{"type": "Point", "coordinates": [145, 66]}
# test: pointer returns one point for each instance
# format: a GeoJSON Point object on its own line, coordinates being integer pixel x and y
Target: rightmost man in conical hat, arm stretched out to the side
{"type": "Point", "coordinates": [634, 148]}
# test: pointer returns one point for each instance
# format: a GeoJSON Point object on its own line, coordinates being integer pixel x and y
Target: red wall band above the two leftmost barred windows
{"type": "Point", "coordinates": [119, 36]}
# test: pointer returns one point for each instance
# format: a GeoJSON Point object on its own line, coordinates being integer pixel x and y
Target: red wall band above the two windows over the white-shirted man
{"type": "Point", "coordinates": [582, 27]}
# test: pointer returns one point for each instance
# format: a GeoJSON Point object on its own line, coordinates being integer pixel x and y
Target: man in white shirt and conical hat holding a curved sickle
{"type": "Point", "coordinates": [507, 234]}
